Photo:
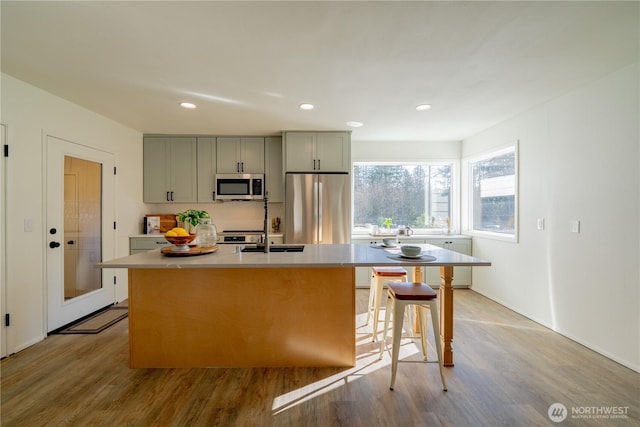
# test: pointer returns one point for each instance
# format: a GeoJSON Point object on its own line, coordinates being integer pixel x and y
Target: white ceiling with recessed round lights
{"type": "Point", "coordinates": [248, 65]}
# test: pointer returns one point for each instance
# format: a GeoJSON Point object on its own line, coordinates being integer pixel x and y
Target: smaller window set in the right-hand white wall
{"type": "Point", "coordinates": [493, 195]}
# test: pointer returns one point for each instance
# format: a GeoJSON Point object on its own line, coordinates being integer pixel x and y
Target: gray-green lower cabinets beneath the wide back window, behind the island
{"type": "Point", "coordinates": [431, 275]}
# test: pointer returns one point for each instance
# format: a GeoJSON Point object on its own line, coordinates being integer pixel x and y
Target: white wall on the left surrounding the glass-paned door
{"type": "Point", "coordinates": [28, 111]}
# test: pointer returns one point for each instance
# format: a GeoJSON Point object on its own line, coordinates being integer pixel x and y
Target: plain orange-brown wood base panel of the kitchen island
{"type": "Point", "coordinates": [237, 317]}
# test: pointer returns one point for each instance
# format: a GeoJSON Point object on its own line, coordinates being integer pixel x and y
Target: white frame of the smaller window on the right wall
{"type": "Point", "coordinates": [467, 215]}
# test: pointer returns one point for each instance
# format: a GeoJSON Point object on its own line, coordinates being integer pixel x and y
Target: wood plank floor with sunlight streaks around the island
{"type": "Point", "coordinates": [508, 371]}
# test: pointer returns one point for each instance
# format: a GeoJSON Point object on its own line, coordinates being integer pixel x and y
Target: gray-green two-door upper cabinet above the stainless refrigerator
{"type": "Point", "coordinates": [317, 151]}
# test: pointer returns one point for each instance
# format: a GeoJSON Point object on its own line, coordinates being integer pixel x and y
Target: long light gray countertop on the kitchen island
{"type": "Point", "coordinates": [342, 255]}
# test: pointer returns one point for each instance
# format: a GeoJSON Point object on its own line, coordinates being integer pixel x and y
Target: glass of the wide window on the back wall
{"type": "Point", "coordinates": [418, 195]}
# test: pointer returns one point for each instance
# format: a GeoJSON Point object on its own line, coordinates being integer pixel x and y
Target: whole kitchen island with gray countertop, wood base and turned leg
{"type": "Point", "coordinates": [231, 309]}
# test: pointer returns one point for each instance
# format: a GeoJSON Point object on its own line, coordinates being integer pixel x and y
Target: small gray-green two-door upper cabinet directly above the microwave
{"type": "Point", "coordinates": [240, 155]}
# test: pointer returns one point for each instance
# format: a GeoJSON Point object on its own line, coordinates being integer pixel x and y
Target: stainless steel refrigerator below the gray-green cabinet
{"type": "Point", "coordinates": [317, 208]}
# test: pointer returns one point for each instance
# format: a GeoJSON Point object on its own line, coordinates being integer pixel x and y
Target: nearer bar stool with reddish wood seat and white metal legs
{"type": "Point", "coordinates": [399, 296]}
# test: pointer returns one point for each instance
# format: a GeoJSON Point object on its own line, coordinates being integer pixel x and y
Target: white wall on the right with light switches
{"type": "Point", "coordinates": [579, 160]}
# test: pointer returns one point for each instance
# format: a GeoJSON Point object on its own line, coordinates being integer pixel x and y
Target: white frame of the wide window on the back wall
{"type": "Point", "coordinates": [455, 192]}
